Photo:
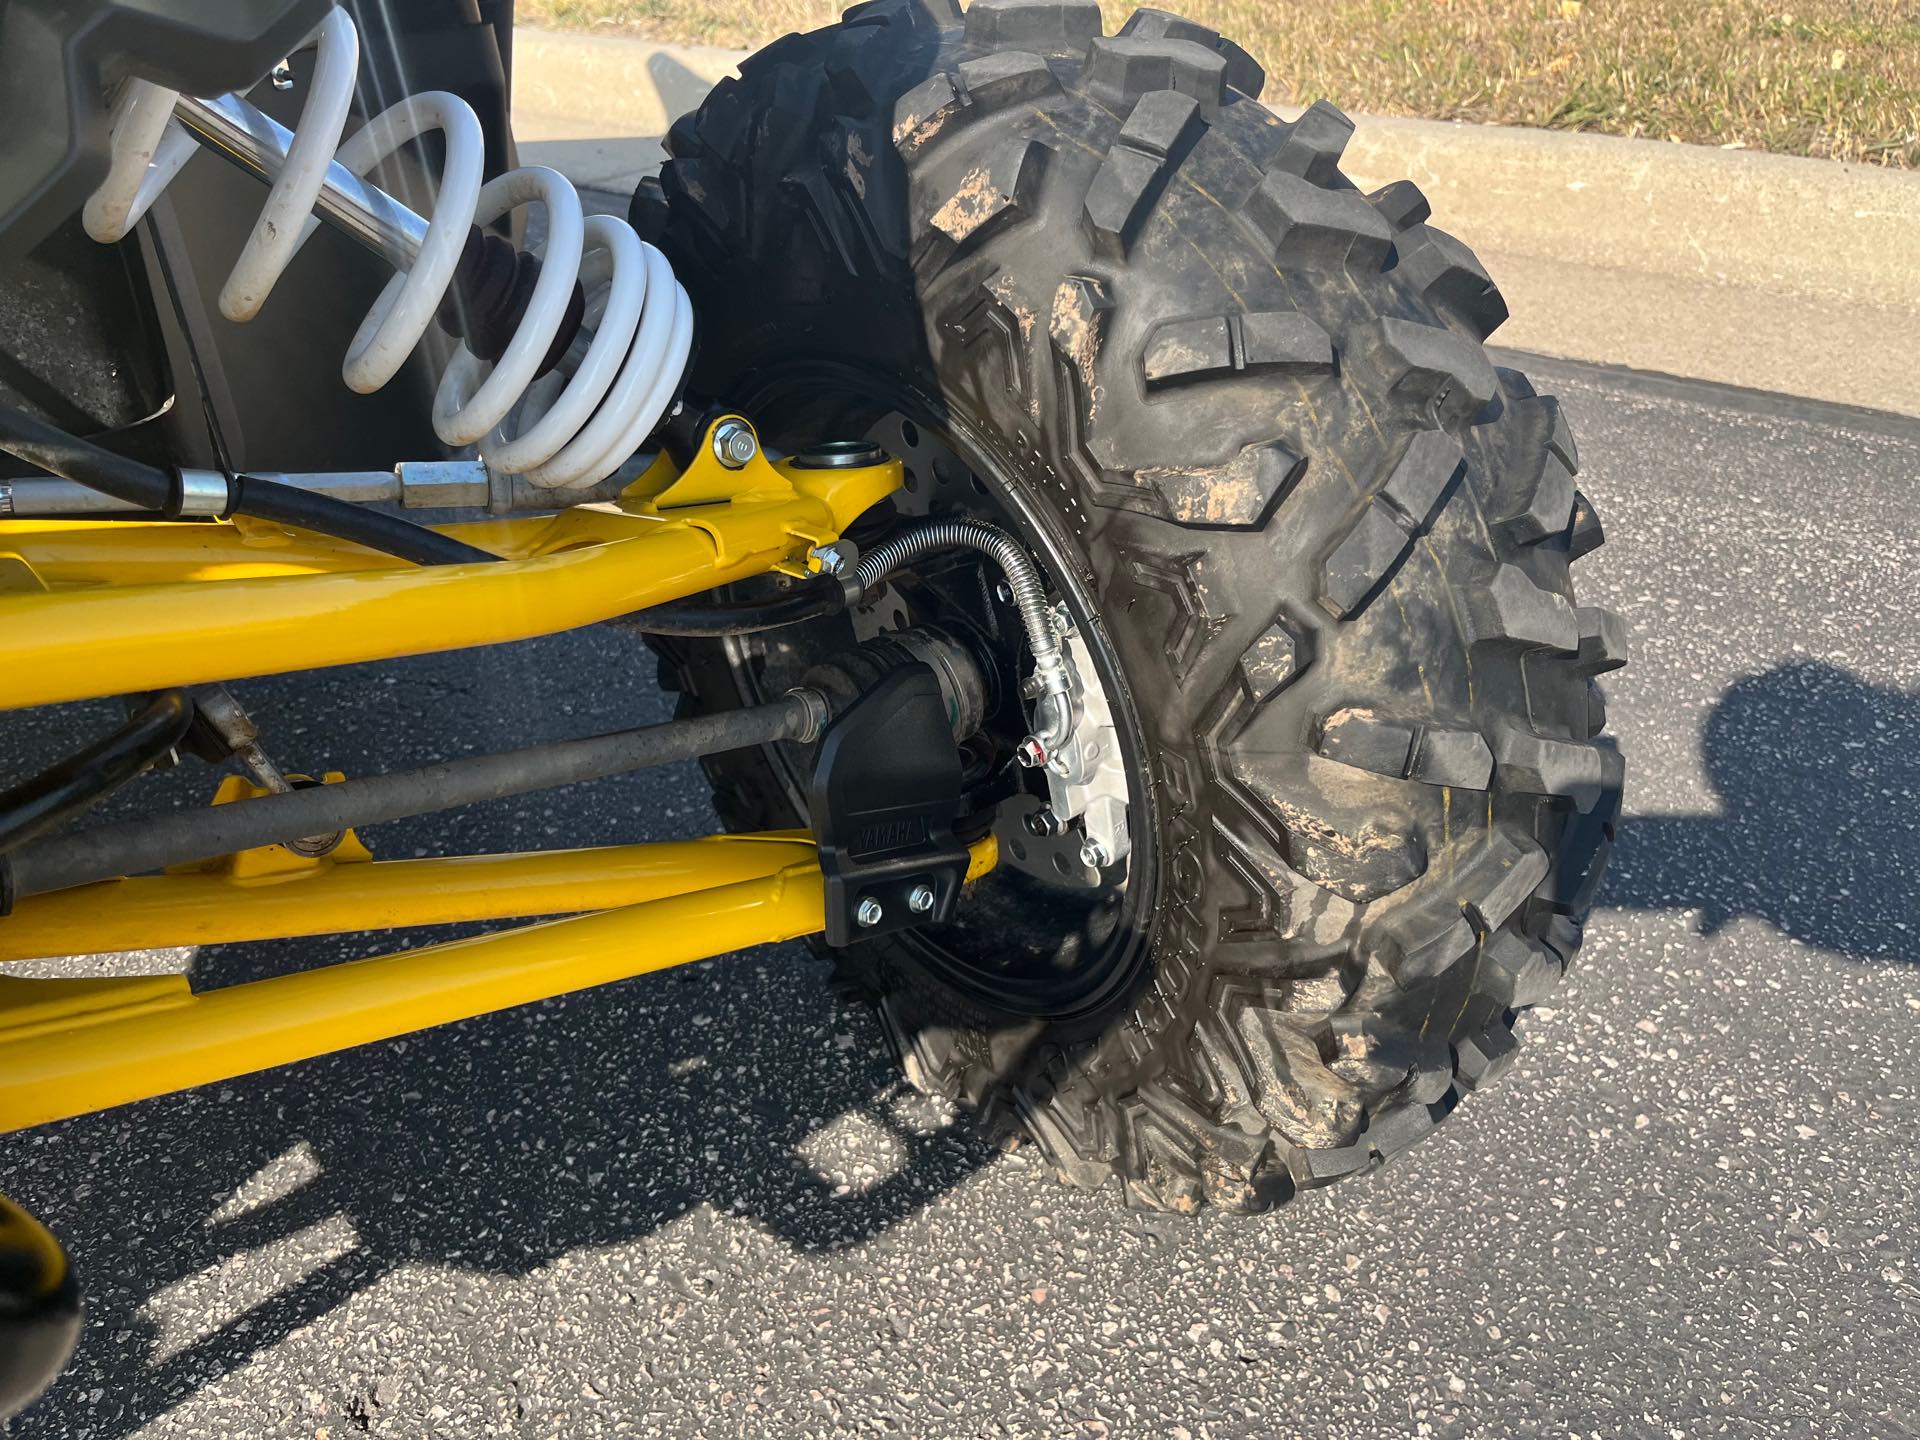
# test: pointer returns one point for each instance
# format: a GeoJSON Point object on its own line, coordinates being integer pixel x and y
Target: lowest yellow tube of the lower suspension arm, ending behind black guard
{"type": "Point", "coordinates": [70, 1047]}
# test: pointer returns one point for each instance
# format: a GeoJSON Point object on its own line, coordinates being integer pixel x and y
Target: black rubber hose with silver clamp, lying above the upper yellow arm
{"type": "Point", "coordinates": [268, 500]}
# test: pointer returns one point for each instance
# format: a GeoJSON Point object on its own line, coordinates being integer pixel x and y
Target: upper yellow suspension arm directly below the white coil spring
{"type": "Point", "coordinates": [249, 600]}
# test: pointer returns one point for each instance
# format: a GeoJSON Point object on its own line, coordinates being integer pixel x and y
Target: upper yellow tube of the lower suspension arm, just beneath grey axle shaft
{"type": "Point", "coordinates": [329, 900]}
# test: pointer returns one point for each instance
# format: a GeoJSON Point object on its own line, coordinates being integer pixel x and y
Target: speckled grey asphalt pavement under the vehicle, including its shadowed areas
{"type": "Point", "coordinates": [702, 1205]}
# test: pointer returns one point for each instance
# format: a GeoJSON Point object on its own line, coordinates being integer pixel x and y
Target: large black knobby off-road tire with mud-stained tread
{"type": "Point", "coordinates": [1328, 540]}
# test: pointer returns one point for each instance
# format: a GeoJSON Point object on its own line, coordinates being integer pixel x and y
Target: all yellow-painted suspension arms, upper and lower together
{"type": "Point", "coordinates": [118, 608]}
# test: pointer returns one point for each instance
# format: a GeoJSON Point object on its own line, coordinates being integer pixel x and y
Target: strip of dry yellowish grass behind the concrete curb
{"type": "Point", "coordinates": [1804, 78]}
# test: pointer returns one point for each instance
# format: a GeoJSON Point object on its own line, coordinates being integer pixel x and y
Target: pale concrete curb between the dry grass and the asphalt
{"type": "Point", "coordinates": [1764, 272]}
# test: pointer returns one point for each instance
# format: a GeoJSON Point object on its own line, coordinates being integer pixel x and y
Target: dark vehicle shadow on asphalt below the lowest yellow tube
{"type": "Point", "coordinates": [500, 1145]}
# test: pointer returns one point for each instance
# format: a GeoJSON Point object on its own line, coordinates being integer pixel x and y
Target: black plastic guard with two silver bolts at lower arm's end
{"type": "Point", "coordinates": [884, 800]}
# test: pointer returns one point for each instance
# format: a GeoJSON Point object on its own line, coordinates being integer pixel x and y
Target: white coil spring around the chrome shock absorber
{"type": "Point", "coordinates": [640, 316]}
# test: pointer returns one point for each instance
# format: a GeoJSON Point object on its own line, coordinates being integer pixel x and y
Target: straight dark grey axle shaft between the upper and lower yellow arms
{"type": "Point", "coordinates": [135, 846]}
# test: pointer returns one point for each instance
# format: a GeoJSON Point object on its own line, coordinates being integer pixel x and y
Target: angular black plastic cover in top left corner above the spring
{"type": "Point", "coordinates": [60, 59]}
